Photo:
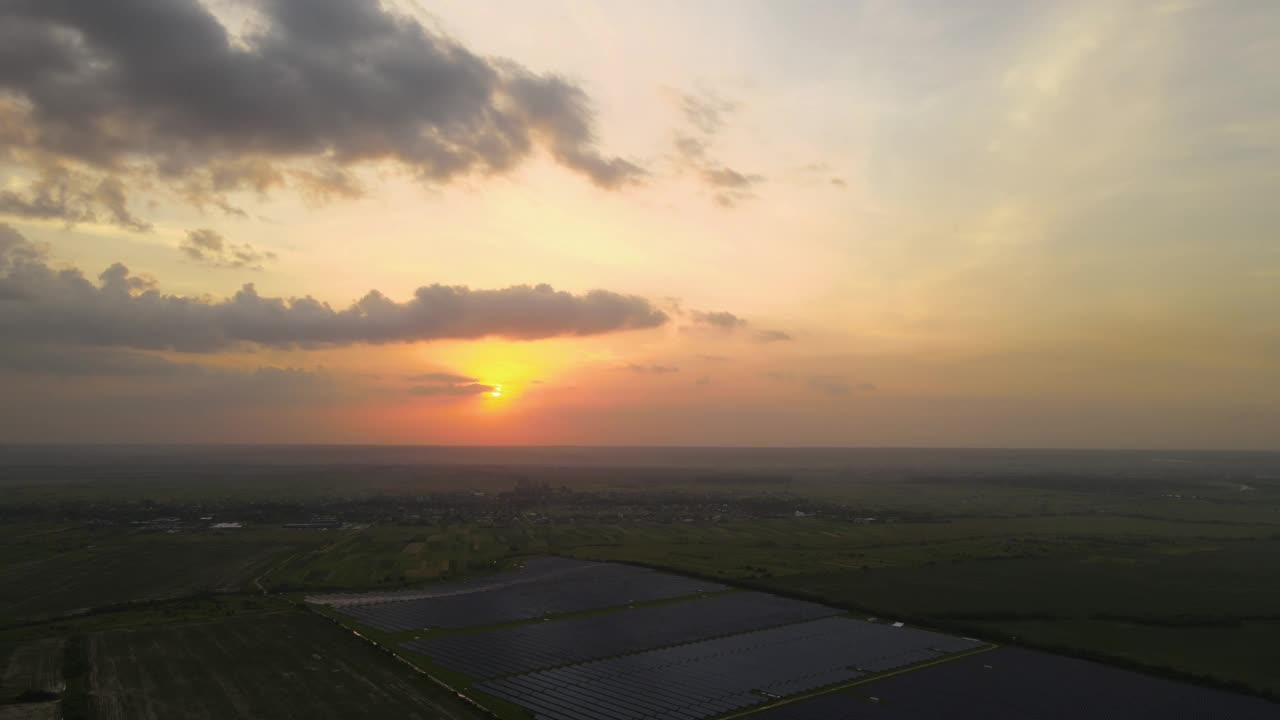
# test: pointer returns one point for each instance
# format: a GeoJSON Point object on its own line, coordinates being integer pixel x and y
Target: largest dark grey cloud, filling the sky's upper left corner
{"type": "Point", "coordinates": [317, 86]}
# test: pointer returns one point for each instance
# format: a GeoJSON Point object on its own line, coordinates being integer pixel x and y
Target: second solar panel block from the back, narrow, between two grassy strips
{"type": "Point", "coordinates": [523, 649]}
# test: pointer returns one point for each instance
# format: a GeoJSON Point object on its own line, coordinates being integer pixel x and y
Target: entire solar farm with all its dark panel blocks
{"type": "Point", "coordinates": [570, 640]}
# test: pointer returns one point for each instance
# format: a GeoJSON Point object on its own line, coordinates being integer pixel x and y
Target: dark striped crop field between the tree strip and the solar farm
{"type": "Point", "coordinates": [287, 666]}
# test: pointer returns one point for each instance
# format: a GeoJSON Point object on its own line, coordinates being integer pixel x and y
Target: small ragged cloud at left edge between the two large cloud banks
{"type": "Point", "coordinates": [72, 198]}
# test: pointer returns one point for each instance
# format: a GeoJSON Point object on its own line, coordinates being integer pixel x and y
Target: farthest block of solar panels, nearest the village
{"type": "Point", "coordinates": [586, 586]}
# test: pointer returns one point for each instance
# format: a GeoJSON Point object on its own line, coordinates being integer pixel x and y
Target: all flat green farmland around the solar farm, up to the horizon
{"type": "Point", "coordinates": [1180, 577]}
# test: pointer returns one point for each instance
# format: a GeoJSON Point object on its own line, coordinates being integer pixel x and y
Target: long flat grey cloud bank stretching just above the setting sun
{"type": "Point", "coordinates": [62, 307]}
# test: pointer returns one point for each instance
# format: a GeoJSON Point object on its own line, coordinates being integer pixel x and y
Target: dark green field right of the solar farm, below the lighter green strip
{"type": "Point", "coordinates": [1229, 581]}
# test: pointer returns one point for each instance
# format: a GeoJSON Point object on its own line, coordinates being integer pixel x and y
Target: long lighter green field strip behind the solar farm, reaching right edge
{"type": "Point", "coordinates": [811, 546]}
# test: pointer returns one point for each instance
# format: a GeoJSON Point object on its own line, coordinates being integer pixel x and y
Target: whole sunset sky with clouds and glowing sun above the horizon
{"type": "Point", "coordinates": [1000, 224]}
